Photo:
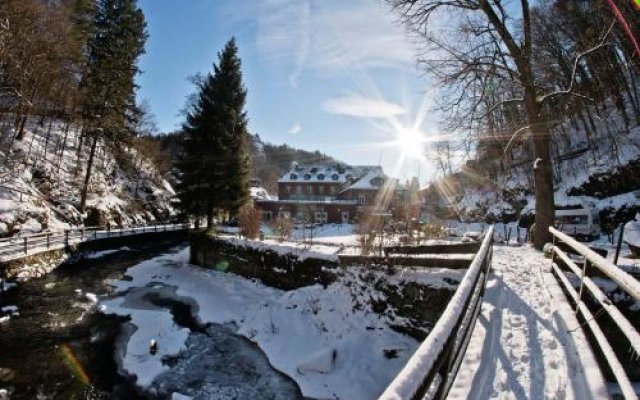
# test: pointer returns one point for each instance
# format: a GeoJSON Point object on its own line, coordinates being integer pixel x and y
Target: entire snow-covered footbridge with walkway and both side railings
{"type": "Point", "coordinates": [522, 326]}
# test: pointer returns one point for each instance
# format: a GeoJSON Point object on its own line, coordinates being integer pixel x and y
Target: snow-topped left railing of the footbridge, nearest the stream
{"type": "Point", "coordinates": [431, 370]}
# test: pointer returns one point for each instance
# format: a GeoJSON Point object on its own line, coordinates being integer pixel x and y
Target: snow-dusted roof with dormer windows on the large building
{"type": "Point", "coordinates": [329, 173]}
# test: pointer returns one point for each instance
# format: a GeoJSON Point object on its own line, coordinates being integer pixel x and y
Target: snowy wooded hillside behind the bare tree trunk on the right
{"type": "Point", "coordinates": [595, 165]}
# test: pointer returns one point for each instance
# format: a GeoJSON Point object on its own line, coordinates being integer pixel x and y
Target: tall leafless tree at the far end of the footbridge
{"type": "Point", "coordinates": [486, 67]}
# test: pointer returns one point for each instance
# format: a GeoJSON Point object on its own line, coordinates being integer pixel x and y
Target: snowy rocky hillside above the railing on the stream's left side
{"type": "Point", "coordinates": [41, 177]}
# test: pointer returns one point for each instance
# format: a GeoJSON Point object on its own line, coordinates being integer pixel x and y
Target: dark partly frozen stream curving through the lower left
{"type": "Point", "coordinates": [61, 347]}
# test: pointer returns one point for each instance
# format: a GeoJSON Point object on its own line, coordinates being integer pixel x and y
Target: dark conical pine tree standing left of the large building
{"type": "Point", "coordinates": [216, 162]}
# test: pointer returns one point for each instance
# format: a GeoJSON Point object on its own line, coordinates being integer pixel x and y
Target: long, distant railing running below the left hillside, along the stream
{"type": "Point", "coordinates": [18, 247]}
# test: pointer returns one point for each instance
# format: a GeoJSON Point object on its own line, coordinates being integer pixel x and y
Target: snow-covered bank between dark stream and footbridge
{"type": "Point", "coordinates": [329, 340]}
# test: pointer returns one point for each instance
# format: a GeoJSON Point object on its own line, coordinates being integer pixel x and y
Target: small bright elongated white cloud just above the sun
{"type": "Point", "coordinates": [362, 107]}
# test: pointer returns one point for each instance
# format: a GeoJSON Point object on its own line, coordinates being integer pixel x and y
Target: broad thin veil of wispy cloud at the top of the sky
{"type": "Point", "coordinates": [329, 37]}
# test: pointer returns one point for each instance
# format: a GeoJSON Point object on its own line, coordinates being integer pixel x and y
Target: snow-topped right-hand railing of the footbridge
{"type": "Point", "coordinates": [592, 260]}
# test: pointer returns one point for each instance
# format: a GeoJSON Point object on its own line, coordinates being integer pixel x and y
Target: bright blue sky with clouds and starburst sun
{"type": "Point", "coordinates": [330, 75]}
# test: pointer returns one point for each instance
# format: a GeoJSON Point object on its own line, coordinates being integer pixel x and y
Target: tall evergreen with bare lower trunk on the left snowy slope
{"type": "Point", "coordinates": [108, 88]}
